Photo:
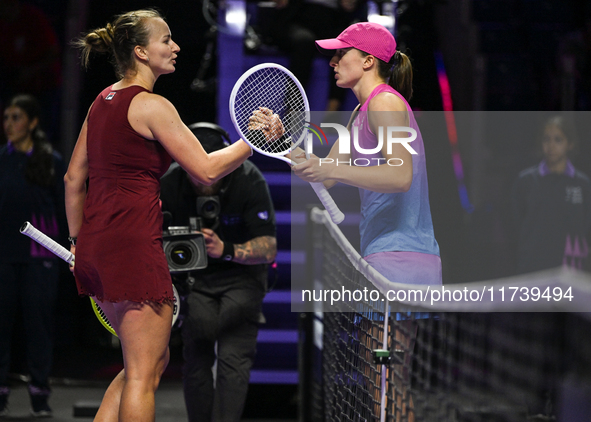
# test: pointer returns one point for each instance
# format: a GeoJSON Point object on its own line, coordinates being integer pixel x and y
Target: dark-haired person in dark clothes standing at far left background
{"type": "Point", "coordinates": [31, 189]}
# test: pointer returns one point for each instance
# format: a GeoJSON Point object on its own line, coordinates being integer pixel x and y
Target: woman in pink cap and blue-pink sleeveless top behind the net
{"type": "Point", "coordinates": [396, 229]}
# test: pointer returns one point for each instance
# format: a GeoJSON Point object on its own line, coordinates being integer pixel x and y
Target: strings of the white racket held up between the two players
{"type": "Point", "coordinates": [273, 89]}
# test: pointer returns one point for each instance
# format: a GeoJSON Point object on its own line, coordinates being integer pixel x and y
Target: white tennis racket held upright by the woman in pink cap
{"type": "Point", "coordinates": [274, 87]}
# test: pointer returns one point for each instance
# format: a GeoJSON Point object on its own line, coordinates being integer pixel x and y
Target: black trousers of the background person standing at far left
{"type": "Point", "coordinates": [33, 287]}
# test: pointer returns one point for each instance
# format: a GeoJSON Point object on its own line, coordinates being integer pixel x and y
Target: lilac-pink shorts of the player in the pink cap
{"type": "Point", "coordinates": [407, 267]}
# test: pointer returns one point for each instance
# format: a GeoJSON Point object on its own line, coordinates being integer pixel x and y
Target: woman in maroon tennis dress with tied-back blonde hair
{"type": "Point", "coordinates": [125, 145]}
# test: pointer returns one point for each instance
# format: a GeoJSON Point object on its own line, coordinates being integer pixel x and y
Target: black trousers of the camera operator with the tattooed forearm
{"type": "Point", "coordinates": [226, 310]}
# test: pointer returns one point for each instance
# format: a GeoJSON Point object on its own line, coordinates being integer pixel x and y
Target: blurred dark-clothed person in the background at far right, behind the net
{"type": "Point", "coordinates": [552, 205]}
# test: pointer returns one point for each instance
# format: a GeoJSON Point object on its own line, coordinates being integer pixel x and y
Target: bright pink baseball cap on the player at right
{"type": "Point", "coordinates": [370, 37]}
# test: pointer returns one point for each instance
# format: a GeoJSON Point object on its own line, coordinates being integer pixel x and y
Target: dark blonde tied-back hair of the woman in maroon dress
{"type": "Point", "coordinates": [119, 38]}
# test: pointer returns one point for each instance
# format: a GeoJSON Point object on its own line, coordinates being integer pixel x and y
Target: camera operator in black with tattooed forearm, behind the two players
{"type": "Point", "coordinates": [224, 300]}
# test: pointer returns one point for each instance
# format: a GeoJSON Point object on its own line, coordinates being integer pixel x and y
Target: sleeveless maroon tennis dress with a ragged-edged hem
{"type": "Point", "coordinates": [119, 252]}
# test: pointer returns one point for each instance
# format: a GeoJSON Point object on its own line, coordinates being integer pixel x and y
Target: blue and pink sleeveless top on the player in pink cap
{"type": "Point", "coordinates": [395, 221]}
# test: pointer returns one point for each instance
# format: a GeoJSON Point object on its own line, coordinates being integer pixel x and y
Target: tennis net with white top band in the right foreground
{"type": "Point", "coordinates": [438, 365]}
